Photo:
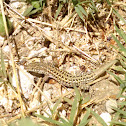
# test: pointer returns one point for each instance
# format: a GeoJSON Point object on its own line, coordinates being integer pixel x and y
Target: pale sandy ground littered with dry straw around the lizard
{"type": "Point", "coordinates": [72, 46]}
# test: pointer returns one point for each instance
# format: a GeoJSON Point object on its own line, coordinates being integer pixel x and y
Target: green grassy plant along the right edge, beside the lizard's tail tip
{"type": "Point", "coordinates": [120, 113]}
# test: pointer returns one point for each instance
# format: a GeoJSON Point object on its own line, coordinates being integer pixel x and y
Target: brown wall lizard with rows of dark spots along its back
{"type": "Point", "coordinates": [65, 78]}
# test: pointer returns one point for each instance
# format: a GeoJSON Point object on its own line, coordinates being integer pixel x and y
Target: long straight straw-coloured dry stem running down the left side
{"type": "Point", "coordinates": [12, 60]}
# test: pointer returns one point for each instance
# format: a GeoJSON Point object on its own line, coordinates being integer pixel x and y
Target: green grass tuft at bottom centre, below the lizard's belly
{"type": "Point", "coordinates": [74, 114]}
